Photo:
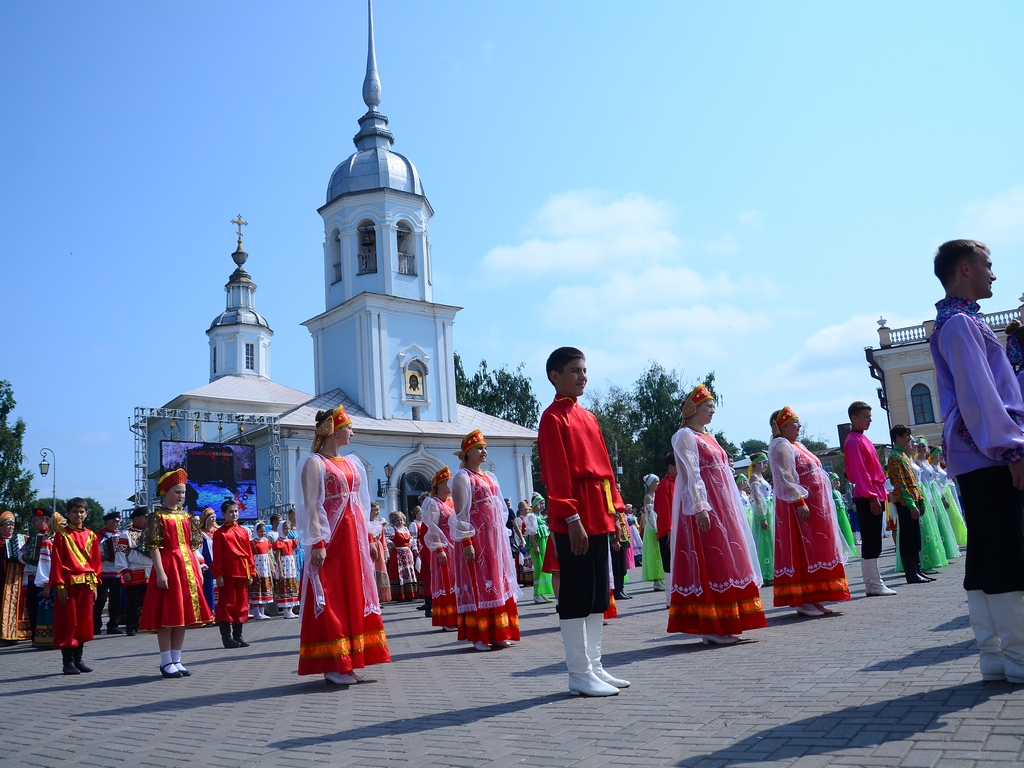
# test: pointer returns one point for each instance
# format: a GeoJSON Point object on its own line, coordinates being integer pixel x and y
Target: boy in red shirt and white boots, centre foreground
{"type": "Point", "coordinates": [583, 501]}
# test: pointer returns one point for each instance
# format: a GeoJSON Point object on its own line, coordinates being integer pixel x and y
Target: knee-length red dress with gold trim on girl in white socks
{"type": "Point", "coordinates": [177, 534]}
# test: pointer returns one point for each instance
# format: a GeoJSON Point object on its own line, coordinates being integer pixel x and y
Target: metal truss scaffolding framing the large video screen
{"type": "Point", "coordinates": [141, 429]}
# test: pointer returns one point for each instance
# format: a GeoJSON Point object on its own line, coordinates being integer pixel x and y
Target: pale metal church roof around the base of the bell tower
{"type": "Point", "coordinates": [470, 419]}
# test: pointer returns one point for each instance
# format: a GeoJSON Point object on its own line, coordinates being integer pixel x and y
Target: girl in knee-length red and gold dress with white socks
{"type": "Point", "coordinates": [178, 602]}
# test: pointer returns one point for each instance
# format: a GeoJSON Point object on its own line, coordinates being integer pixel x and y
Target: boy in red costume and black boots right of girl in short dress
{"type": "Point", "coordinates": [233, 572]}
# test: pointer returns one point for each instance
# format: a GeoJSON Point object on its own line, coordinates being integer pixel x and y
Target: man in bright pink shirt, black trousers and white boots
{"type": "Point", "coordinates": [865, 471]}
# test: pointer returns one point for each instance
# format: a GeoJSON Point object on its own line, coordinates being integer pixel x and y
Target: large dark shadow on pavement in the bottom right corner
{"type": "Point", "coordinates": [852, 728]}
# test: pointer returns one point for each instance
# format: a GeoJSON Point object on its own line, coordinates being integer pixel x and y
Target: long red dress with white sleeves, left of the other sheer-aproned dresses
{"type": "Point", "coordinates": [343, 629]}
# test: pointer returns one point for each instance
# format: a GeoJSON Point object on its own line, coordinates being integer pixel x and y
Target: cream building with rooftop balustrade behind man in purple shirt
{"type": "Point", "coordinates": [904, 367]}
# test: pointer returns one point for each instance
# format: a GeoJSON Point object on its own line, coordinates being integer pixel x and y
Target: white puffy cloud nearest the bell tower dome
{"type": "Point", "coordinates": [582, 232]}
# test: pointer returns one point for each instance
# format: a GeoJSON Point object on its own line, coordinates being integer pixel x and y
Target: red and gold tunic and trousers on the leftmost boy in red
{"type": "Point", "coordinates": [75, 568]}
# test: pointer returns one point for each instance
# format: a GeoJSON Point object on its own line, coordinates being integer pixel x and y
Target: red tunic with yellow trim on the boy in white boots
{"type": "Point", "coordinates": [576, 471]}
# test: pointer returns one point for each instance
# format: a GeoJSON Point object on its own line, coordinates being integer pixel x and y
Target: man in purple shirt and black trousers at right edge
{"type": "Point", "coordinates": [984, 439]}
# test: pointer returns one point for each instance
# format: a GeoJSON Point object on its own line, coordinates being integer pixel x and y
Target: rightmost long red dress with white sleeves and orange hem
{"type": "Point", "coordinates": [808, 556]}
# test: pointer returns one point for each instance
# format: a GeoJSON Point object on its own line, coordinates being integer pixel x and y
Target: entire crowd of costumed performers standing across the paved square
{"type": "Point", "coordinates": [708, 536]}
